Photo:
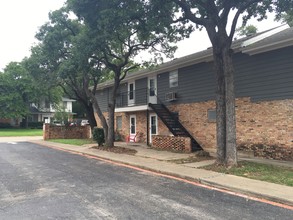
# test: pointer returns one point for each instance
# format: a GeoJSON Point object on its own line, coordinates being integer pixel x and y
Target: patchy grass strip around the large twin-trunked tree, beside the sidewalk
{"type": "Point", "coordinates": [269, 173]}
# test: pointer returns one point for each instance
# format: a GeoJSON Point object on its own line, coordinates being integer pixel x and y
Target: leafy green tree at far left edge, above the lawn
{"type": "Point", "coordinates": [19, 89]}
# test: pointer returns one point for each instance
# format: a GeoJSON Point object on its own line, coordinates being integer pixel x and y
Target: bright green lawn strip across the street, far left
{"type": "Point", "coordinates": [14, 132]}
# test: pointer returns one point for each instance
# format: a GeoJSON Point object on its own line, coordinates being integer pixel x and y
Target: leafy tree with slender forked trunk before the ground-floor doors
{"type": "Point", "coordinates": [120, 30]}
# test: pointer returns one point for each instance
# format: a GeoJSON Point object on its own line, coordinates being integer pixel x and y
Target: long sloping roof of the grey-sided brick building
{"type": "Point", "coordinates": [268, 40]}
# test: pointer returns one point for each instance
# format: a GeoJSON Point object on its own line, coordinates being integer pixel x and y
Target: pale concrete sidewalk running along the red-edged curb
{"type": "Point", "coordinates": [157, 161]}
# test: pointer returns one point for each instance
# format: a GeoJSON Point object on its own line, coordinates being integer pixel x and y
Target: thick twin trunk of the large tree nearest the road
{"type": "Point", "coordinates": [225, 104]}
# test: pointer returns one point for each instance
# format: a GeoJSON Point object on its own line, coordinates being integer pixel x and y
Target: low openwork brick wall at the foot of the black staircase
{"type": "Point", "coordinates": [172, 143]}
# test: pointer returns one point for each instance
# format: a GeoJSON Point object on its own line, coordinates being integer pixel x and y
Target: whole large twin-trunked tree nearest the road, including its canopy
{"type": "Point", "coordinates": [212, 15]}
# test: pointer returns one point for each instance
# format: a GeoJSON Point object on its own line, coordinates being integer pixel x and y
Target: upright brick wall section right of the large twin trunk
{"type": "Point", "coordinates": [268, 122]}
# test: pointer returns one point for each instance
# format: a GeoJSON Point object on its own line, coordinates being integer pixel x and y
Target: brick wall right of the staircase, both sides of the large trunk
{"type": "Point", "coordinates": [268, 122]}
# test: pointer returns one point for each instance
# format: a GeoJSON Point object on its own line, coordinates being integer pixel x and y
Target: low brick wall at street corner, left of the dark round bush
{"type": "Point", "coordinates": [66, 132]}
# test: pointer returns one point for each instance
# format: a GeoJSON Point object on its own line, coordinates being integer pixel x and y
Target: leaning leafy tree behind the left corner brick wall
{"type": "Point", "coordinates": [65, 50]}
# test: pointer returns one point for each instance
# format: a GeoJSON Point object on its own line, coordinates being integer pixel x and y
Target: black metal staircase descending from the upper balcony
{"type": "Point", "coordinates": [173, 124]}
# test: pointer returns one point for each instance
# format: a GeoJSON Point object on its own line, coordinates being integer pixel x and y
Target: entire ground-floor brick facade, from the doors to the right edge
{"type": "Point", "coordinates": [266, 123]}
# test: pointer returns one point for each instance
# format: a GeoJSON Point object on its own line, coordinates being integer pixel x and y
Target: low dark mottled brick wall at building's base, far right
{"type": "Point", "coordinates": [268, 151]}
